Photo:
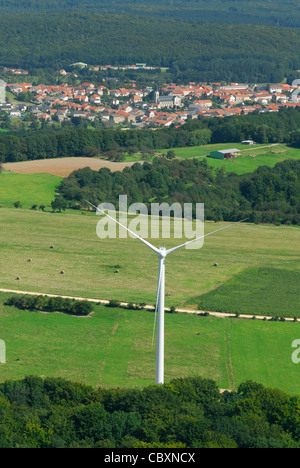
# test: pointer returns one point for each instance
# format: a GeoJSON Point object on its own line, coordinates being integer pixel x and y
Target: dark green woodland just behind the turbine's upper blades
{"type": "Point", "coordinates": [269, 195]}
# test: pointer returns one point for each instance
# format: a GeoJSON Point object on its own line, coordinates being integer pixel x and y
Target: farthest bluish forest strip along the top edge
{"type": "Point", "coordinates": [271, 12]}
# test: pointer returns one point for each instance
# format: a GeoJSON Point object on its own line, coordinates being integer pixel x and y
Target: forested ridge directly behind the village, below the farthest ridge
{"type": "Point", "coordinates": [193, 51]}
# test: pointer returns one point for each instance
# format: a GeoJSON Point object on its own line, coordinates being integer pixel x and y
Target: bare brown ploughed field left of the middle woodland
{"type": "Point", "coordinates": [63, 167]}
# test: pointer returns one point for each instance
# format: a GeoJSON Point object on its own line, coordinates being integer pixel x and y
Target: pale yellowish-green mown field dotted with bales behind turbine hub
{"type": "Point", "coordinates": [89, 262]}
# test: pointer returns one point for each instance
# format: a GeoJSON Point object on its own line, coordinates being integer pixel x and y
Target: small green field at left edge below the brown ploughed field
{"type": "Point", "coordinates": [29, 189]}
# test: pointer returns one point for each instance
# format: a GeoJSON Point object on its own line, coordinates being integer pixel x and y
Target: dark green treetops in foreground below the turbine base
{"type": "Point", "coordinates": [186, 413]}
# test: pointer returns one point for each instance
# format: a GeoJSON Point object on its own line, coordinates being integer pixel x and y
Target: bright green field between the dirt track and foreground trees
{"type": "Point", "coordinates": [113, 348]}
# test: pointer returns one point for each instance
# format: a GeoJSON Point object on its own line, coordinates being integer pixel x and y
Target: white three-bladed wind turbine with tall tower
{"type": "Point", "coordinates": [162, 253]}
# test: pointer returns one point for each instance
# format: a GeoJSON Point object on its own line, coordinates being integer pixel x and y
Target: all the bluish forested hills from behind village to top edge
{"type": "Point", "coordinates": [236, 40]}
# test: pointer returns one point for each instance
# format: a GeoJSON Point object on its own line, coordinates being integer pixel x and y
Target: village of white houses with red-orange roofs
{"type": "Point", "coordinates": [130, 106]}
